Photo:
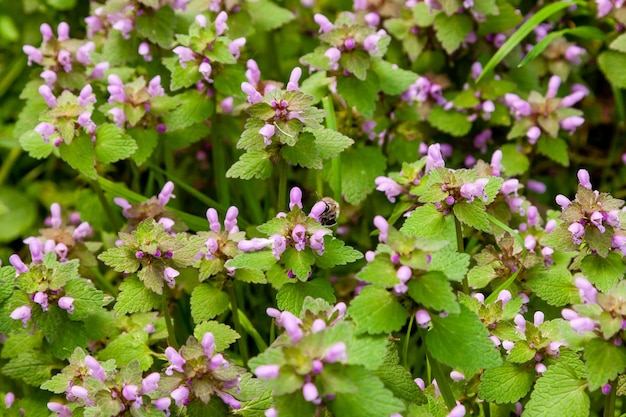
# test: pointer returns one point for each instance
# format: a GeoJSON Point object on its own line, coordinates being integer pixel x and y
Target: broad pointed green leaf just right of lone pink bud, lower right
{"type": "Point", "coordinates": [462, 342]}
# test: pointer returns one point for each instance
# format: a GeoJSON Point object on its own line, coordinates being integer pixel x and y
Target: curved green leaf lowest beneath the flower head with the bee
{"type": "Point", "coordinates": [291, 296]}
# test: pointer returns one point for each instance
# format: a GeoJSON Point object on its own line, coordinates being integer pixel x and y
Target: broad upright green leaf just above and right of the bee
{"type": "Point", "coordinates": [359, 169]}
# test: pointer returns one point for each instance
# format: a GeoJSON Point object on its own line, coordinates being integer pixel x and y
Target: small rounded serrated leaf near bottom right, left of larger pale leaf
{"type": "Point", "coordinates": [507, 383]}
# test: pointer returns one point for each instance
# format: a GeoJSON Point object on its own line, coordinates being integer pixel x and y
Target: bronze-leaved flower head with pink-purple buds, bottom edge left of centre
{"type": "Point", "coordinates": [201, 372]}
